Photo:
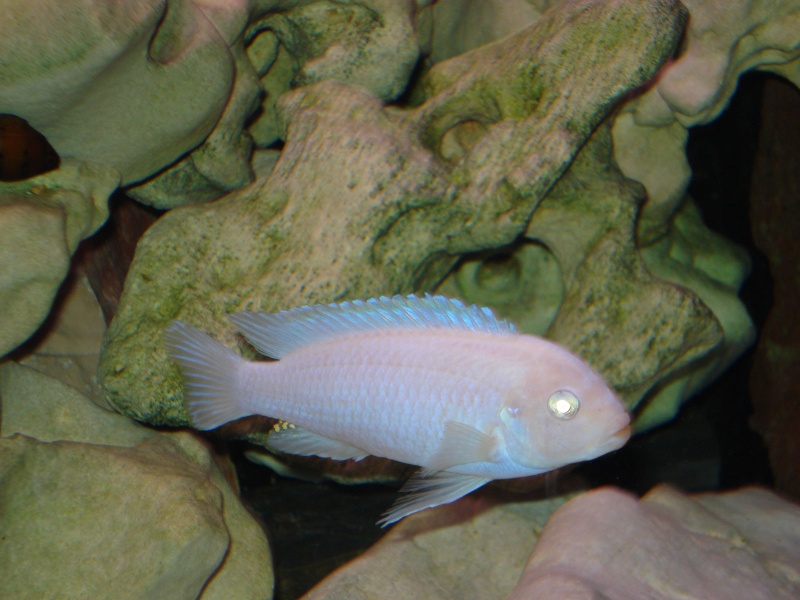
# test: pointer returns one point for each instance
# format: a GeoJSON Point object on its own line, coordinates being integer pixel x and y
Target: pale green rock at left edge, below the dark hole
{"type": "Point", "coordinates": [42, 220]}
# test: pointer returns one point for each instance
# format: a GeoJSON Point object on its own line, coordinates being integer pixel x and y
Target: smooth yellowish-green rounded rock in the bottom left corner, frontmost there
{"type": "Point", "coordinates": [86, 520]}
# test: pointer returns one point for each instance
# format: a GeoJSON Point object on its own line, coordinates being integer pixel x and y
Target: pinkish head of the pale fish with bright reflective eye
{"type": "Point", "coordinates": [563, 412]}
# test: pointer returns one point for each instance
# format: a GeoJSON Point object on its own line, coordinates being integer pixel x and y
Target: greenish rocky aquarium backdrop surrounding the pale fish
{"type": "Point", "coordinates": [168, 161]}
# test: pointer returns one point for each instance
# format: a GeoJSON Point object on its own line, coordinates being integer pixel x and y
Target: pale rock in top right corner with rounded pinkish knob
{"type": "Point", "coordinates": [723, 41]}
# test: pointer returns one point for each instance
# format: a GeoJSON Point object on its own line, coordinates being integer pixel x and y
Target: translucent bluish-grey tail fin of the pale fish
{"type": "Point", "coordinates": [211, 374]}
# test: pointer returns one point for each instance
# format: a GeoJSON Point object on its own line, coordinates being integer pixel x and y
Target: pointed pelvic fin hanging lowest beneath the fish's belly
{"type": "Point", "coordinates": [427, 491]}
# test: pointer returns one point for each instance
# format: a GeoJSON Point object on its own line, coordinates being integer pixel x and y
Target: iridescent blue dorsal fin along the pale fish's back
{"type": "Point", "coordinates": [278, 334]}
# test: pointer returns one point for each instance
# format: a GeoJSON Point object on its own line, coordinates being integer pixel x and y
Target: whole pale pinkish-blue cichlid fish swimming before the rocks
{"type": "Point", "coordinates": [425, 381]}
